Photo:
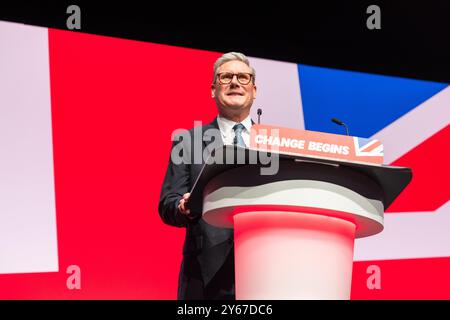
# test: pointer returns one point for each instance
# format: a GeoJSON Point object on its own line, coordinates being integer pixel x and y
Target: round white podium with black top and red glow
{"type": "Point", "coordinates": [294, 230]}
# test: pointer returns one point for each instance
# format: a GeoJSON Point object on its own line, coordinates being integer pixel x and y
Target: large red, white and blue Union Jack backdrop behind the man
{"type": "Point", "coordinates": [85, 127]}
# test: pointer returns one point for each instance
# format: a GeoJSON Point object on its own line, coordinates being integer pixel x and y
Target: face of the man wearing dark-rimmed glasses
{"type": "Point", "coordinates": [234, 98]}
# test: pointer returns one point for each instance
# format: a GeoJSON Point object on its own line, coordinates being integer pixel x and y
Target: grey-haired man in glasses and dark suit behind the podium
{"type": "Point", "coordinates": [207, 270]}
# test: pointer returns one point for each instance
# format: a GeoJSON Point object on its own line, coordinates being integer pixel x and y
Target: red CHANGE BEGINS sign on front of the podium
{"type": "Point", "coordinates": [316, 144]}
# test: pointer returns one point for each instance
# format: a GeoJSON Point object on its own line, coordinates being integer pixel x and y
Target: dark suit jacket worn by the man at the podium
{"type": "Point", "coordinates": [206, 248]}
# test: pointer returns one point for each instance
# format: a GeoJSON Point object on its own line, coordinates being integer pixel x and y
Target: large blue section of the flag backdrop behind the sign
{"type": "Point", "coordinates": [365, 102]}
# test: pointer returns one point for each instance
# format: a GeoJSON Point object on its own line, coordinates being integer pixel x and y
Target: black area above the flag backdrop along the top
{"type": "Point", "coordinates": [414, 39]}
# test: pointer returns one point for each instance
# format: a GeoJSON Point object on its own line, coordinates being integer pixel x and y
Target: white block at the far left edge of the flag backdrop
{"type": "Point", "coordinates": [28, 240]}
